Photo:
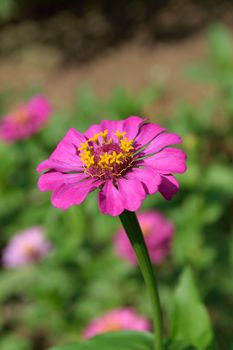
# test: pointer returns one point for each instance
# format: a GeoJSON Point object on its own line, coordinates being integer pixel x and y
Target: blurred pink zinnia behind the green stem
{"type": "Point", "coordinates": [157, 231]}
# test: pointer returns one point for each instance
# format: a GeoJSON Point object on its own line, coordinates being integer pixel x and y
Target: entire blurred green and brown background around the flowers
{"type": "Point", "coordinates": [171, 61]}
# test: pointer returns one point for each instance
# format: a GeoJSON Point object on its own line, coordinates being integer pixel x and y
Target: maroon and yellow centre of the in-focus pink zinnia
{"type": "Point", "coordinates": [103, 157]}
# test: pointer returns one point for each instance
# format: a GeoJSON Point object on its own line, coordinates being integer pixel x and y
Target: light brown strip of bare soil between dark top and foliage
{"type": "Point", "coordinates": [131, 65]}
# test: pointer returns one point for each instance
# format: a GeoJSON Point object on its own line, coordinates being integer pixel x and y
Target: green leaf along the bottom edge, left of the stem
{"type": "Point", "coordinates": [124, 340]}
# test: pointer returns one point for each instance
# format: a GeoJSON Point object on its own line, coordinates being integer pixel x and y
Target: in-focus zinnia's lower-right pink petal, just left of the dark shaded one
{"type": "Point", "coordinates": [149, 177]}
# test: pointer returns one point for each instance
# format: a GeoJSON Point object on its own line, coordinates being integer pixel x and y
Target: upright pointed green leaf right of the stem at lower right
{"type": "Point", "coordinates": [190, 319]}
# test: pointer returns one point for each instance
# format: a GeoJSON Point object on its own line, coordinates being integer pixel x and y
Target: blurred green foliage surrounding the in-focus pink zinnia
{"type": "Point", "coordinates": [51, 302]}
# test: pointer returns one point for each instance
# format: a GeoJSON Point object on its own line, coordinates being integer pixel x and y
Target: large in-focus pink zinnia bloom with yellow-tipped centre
{"type": "Point", "coordinates": [126, 160]}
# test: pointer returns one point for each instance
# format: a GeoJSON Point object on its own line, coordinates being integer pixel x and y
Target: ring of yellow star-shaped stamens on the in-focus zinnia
{"type": "Point", "coordinates": [107, 160]}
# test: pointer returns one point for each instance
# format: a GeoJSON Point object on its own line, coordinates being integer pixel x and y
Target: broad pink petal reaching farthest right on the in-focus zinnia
{"type": "Point", "coordinates": [170, 160]}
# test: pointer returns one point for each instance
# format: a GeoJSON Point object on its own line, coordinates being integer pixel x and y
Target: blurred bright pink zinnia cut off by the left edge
{"type": "Point", "coordinates": [26, 120]}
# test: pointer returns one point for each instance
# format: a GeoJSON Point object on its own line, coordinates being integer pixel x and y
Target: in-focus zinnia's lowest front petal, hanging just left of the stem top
{"type": "Point", "coordinates": [110, 200]}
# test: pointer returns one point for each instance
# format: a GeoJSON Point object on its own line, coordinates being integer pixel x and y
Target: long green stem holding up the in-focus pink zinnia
{"type": "Point", "coordinates": [131, 225]}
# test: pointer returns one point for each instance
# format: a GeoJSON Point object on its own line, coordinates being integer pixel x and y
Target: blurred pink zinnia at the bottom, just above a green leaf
{"type": "Point", "coordinates": [115, 320]}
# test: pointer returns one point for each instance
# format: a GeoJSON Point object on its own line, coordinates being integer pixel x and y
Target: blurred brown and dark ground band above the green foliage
{"type": "Point", "coordinates": [63, 51]}
